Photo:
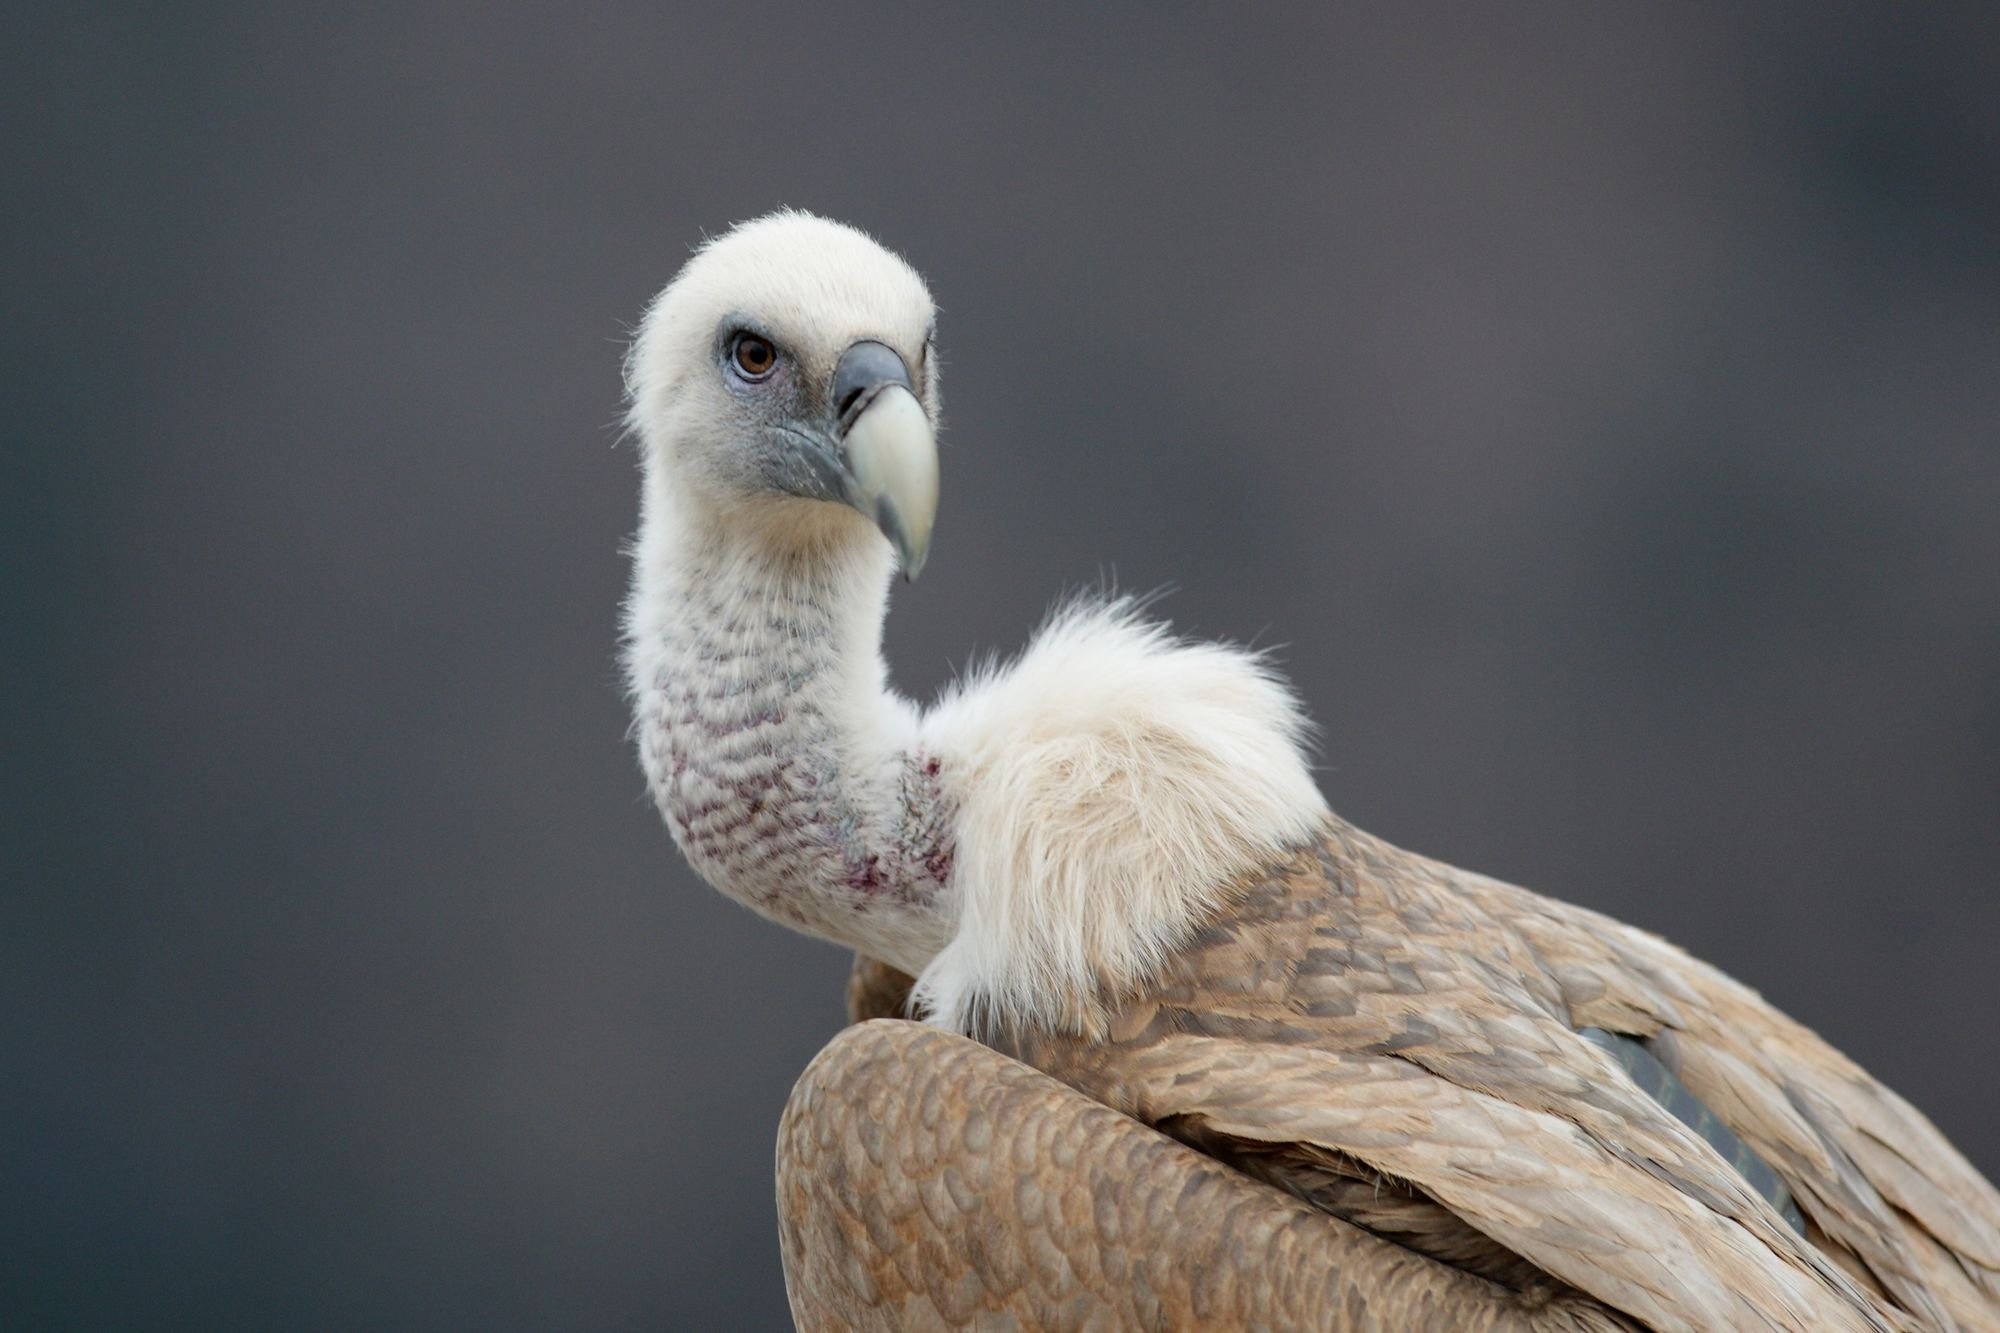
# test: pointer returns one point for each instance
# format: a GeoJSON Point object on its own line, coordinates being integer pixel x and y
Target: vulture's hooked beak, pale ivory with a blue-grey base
{"type": "Point", "coordinates": [889, 453]}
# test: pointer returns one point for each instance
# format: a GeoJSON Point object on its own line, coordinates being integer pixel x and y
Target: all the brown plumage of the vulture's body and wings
{"type": "Point", "coordinates": [1393, 1042]}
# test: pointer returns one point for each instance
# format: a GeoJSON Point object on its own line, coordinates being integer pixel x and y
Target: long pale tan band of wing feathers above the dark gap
{"type": "Point", "coordinates": [1533, 1182]}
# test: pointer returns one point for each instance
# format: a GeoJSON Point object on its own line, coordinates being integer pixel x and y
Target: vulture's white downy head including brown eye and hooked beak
{"type": "Point", "coordinates": [785, 383]}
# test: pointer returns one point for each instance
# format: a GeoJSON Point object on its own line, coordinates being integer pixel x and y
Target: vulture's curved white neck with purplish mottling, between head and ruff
{"type": "Point", "coordinates": [787, 770]}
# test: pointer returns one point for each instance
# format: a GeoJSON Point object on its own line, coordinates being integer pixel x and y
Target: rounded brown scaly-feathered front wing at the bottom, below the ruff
{"type": "Point", "coordinates": [927, 1182]}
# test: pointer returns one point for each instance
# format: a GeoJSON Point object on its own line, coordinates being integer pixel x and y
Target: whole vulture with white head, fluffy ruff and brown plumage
{"type": "Point", "coordinates": [1193, 1052]}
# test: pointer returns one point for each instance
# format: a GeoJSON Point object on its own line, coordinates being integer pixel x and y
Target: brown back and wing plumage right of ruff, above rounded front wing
{"type": "Point", "coordinates": [1393, 1042]}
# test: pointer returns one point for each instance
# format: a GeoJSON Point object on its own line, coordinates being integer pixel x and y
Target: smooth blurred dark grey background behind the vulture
{"type": "Point", "coordinates": [1599, 403]}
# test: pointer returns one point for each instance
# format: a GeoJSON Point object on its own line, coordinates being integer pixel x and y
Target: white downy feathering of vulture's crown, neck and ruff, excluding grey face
{"type": "Point", "coordinates": [1035, 842]}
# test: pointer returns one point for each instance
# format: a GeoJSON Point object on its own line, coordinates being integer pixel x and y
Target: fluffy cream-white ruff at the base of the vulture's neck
{"type": "Point", "coordinates": [1113, 786]}
